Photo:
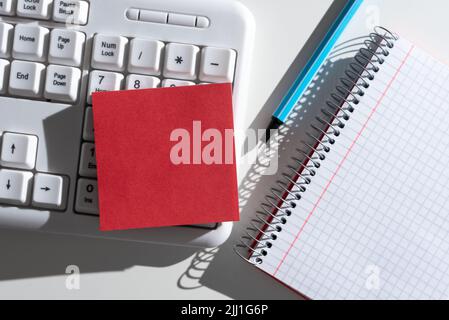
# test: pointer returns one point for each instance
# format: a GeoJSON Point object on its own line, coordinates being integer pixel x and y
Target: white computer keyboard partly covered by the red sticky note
{"type": "Point", "coordinates": [55, 53]}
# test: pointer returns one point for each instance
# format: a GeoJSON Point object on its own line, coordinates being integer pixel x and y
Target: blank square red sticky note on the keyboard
{"type": "Point", "coordinates": [165, 157]}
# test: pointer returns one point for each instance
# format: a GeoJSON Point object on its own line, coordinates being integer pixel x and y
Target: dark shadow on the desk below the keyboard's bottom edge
{"type": "Point", "coordinates": [33, 254]}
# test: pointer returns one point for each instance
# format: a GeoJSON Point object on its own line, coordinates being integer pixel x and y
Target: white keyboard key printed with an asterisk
{"type": "Point", "coordinates": [180, 61]}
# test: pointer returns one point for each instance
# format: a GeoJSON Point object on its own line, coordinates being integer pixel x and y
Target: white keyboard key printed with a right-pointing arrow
{"type": "Point", "coordinates": [49, 192]}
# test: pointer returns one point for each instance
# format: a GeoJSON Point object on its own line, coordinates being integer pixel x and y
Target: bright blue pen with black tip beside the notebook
{"type": "Point", "coordinates": [312, 67]}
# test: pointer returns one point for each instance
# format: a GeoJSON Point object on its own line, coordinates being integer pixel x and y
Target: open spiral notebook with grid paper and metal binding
{"type": "Point", "coordinates": [366, 214]}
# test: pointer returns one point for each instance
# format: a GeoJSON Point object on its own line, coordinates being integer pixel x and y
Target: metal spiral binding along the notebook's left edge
{"type": "Point", "coordinates": [283, 198]}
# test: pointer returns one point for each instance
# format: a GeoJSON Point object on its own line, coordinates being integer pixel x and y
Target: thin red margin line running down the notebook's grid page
{"type": "Point", "coordinates": [340, 165]}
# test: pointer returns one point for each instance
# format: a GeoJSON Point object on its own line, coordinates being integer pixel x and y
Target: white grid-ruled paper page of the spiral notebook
{"type": "Point", "coordinates": [383, 215]}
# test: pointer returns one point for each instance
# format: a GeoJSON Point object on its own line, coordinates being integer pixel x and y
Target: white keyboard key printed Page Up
{"type": "Point", "coordinates": [66, 47]}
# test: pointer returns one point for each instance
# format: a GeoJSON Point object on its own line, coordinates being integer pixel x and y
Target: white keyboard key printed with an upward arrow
{"type": "Point", "coordinates": [18, 151]}
